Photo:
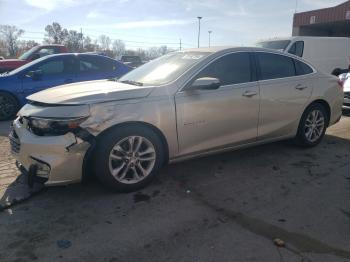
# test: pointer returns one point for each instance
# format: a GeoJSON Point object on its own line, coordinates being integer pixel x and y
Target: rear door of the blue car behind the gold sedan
{"type": "Point", "coordinates": [94, 67]}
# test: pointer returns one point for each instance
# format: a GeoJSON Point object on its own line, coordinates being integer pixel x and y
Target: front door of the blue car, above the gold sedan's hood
{"type": "Point", "coordinates": [54, 71]}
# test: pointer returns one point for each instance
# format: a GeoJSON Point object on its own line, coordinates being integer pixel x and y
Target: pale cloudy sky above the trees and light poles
{"type": "Point", "coordinates": [143, 23]}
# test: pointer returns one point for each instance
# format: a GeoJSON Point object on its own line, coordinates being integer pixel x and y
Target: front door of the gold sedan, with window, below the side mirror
{"type": "Point", "coordinates": [227, 116]}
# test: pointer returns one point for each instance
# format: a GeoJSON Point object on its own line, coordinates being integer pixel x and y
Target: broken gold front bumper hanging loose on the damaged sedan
{"type": "Point", "coordinates": [53, 160]}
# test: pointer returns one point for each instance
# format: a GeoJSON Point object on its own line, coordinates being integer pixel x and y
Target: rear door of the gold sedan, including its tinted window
{"type": "Point", "coordinates": [283, 94]}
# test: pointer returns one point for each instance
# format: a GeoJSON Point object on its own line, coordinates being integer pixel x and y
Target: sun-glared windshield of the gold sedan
{"type": "Point", "coordinates": [164, 69]}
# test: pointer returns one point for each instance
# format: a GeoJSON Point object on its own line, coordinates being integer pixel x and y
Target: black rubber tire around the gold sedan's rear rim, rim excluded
{"type": "Point", "coordinates": [301, 138]}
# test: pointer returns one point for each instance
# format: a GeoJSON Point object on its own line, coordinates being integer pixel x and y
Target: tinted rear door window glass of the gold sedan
{"type": "Point", "coordinates": [274, 66]}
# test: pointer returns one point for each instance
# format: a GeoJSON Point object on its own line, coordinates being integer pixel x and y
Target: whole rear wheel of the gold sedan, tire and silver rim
{"type": "Point", "coordinates": [312, 126]}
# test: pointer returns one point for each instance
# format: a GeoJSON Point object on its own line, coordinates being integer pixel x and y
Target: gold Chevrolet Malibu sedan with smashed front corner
{"type": "Point", "coordinates": [185, 104]}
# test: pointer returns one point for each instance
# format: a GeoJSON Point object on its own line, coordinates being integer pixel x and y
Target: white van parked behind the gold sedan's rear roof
{"type": "Point", "coordinates": [328, 54]}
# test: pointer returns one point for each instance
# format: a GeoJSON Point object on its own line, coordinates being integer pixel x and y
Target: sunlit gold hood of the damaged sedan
{"type": "Point", "coordinates": [90, 92]}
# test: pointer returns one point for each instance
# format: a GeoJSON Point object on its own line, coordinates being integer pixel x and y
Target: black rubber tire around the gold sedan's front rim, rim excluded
{"type": "Point", "coordinates": [105, 144]}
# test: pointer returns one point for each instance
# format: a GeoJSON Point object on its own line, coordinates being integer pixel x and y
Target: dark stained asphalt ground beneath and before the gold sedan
{"type": "Point", "coordinates": [227, 207]}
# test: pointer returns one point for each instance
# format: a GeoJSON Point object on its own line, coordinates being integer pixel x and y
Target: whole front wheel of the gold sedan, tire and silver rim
{"type": "Point", "coordinates": [127, 158]}
